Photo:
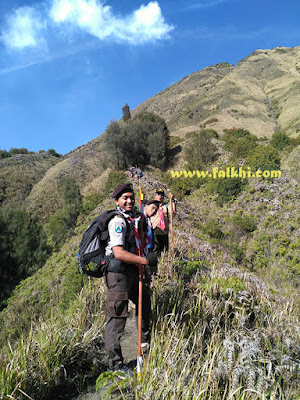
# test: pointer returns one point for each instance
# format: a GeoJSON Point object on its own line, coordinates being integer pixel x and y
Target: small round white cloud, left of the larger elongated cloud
{"type": "Point", "coordinates": [24, 29]}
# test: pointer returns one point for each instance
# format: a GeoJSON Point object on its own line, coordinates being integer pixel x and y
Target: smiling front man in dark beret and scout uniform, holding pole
{"type": "Point", "coordinates": [122, 278]}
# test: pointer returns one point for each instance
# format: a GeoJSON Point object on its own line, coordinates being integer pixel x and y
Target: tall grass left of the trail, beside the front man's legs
{"type": "Point", "coordinates": [36, 362]}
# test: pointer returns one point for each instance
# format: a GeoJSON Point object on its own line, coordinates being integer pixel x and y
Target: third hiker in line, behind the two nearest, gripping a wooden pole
{"type": "Point", "coordinates": [160, 221]}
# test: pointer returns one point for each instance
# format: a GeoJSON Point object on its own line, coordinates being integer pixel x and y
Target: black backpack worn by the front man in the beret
{"type": "Point", "coordinates": [91, 255]}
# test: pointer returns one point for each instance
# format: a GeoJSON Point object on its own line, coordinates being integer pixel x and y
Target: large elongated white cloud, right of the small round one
{"type": "Point", "coordinates": [143, 25]}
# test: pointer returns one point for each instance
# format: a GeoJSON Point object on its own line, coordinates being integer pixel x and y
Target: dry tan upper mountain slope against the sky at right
{"type": "Point", "coordinates": [260, 94]}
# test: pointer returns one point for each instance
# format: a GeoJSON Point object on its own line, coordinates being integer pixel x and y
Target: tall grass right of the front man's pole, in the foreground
{"type": "Point", "coordinates": [213, 342]}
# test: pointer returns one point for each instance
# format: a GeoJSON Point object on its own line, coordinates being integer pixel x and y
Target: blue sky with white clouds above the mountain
{"type": "Point", "coordinates": [67, 67]}
